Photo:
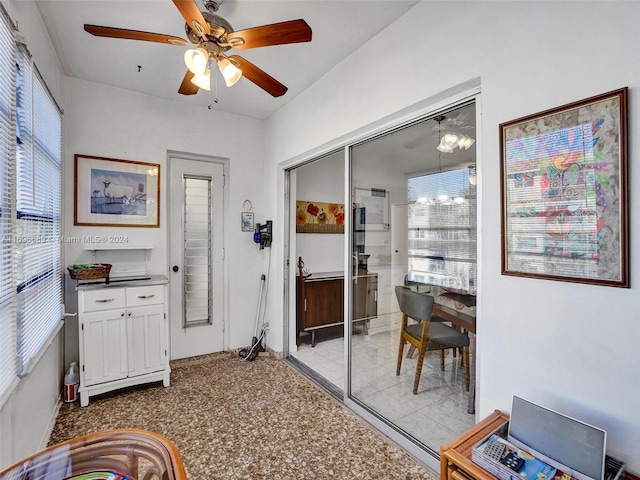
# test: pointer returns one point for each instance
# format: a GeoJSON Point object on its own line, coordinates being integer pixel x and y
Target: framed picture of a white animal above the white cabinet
{"type": "Point", "coordinates": [112, 192]}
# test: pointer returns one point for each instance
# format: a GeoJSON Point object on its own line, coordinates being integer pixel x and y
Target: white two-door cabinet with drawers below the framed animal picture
{"type": "Point", "coordinates": [124, 336]}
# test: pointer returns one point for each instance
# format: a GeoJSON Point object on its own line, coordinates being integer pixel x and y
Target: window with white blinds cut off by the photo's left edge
{"type": "Point", "coordinates": [8, 357]}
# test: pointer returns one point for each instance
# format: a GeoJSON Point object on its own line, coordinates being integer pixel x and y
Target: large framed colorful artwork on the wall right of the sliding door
{"type": "Point", "coordinates": [564, 193]}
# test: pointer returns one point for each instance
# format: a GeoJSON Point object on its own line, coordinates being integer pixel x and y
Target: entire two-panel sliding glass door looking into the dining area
{"type": "Point", "coordinates": [407, 219]}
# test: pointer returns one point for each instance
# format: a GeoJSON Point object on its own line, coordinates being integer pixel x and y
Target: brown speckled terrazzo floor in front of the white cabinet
{"type": "Point", "coordinates": [232, 419]}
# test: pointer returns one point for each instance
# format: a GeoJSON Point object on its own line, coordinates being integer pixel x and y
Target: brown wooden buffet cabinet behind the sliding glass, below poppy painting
{"type": "Point", "coordinates": [320, 301]}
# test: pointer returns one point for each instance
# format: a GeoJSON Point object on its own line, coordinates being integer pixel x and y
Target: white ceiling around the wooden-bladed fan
{"type": "Point", "coordinates": [339, 28]}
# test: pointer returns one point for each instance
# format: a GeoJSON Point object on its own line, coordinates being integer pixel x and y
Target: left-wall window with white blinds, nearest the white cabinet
{"type": "Point", "coordinates": [38, 209]}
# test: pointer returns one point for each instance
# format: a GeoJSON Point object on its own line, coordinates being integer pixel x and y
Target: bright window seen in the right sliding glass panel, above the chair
{"type": "Point", "coordinates": [442, 230]}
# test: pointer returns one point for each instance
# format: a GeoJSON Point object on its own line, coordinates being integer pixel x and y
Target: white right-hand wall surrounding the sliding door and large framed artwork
{"type": "Point", "coordinates": [569, 346]}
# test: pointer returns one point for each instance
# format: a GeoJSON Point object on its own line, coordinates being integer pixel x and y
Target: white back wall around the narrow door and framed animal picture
{"type": "Point", "coordinates": [115, 123]}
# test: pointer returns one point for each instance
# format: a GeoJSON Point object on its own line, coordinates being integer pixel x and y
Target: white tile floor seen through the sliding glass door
{"type": "Point", "coordinates": [434, 416]}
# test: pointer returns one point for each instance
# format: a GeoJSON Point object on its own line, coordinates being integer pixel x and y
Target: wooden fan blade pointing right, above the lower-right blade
{"type": "Point", "coordinates": [293, 31]}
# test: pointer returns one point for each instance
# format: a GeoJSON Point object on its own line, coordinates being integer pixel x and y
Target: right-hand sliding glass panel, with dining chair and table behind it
{"type": "Point", "coordinates": [413, 201]}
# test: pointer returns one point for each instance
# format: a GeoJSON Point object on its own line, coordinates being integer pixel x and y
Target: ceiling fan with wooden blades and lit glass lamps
{"type": "Point", "coordinates": [213, 36]}
